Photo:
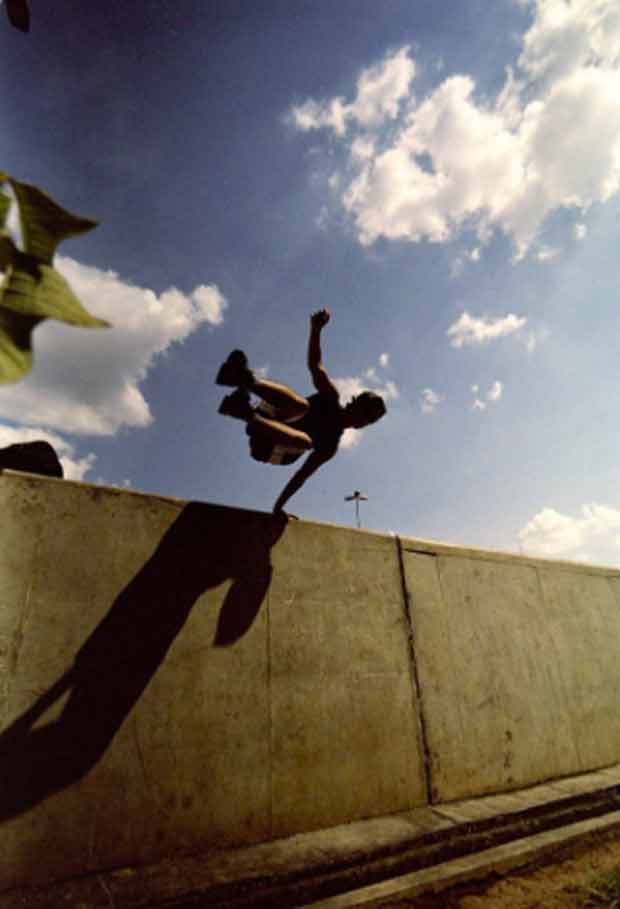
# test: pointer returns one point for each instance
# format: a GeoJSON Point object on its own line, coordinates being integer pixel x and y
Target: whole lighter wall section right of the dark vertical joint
{"type": "Point", "coordinates": [518, 667]}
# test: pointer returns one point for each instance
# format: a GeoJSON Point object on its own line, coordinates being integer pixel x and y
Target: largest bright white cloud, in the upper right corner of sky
{"type": "Point", "coordinates": [457, 160]}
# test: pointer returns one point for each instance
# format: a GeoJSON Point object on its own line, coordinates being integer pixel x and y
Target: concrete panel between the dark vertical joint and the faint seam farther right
{"type": "Point", "coordinates": [490, 695]}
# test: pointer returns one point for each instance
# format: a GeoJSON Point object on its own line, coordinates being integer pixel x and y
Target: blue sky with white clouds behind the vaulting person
{"type": "Point", "coordinates": [443, 177]}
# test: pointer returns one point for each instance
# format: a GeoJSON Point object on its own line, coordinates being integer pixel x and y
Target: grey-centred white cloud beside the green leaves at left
{"type": "Point", "coordinates": [88, 382]}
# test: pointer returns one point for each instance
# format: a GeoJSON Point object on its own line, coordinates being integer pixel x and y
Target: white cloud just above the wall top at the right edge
{"type": "Point", "coordinates": [592, 536]}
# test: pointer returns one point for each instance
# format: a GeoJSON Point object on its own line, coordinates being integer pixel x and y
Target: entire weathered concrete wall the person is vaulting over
{"type": "Point", "coordinates": [178, 675]}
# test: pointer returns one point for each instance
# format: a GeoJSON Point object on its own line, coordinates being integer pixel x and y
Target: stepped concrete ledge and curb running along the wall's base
{"type": "Point", "coordinates": [351, 864]}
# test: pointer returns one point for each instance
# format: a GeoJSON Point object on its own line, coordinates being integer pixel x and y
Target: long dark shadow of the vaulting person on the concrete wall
{"type": "Point", "coordinates": [204, 547]}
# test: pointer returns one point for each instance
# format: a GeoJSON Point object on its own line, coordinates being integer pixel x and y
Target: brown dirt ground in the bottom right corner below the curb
{"type": "Point", "coordinates": [550, 886]}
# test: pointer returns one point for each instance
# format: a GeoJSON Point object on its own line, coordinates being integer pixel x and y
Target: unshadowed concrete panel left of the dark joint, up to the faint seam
{"type": "Point", "coordinates": [344, 720]}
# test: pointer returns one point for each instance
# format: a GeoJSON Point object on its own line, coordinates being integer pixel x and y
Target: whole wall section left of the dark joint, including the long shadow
{"type": "Point", "coordinates": [178, 675]}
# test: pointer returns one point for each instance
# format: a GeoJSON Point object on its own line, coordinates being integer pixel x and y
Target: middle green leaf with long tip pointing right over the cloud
{"type": "Point", "coordinates": [38, 291]}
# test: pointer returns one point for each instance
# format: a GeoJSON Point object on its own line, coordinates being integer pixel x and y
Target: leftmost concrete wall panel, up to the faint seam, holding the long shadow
{"type": "Point", "coordinates": [128, 734]}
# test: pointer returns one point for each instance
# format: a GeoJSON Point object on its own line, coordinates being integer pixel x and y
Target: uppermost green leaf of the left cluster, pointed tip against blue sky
{"type": "Point", "coordinates": [44, 222]}
